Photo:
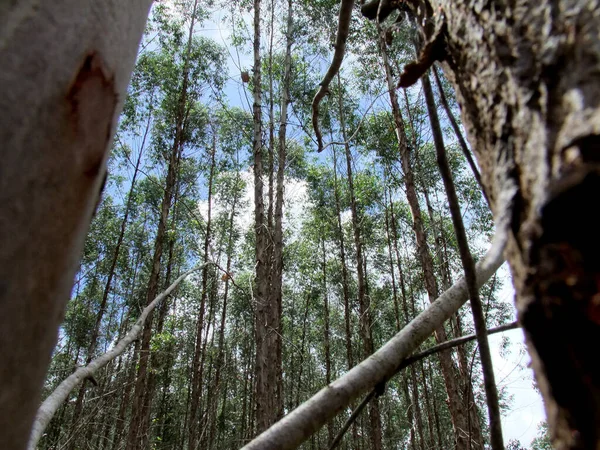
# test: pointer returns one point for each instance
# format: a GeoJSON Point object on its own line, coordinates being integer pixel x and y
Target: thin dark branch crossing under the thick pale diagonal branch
{"type": "Point", "coordinates": [411, 360]}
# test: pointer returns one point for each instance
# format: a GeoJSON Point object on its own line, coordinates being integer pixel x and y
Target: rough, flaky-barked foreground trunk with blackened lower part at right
{"type": "Point", "coordinates": [528, 82]}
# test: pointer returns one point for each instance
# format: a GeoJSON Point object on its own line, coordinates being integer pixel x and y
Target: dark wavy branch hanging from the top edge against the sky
{"type": "Point", "coordinates": [340, 49]}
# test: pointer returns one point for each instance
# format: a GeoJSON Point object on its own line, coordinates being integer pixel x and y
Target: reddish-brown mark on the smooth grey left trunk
{"type": "Point", "coordinates": [92, 100]}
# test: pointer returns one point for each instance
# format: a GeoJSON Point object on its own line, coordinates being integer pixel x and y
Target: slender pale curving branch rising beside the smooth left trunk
{"type": "Point", "coordinates": [47, 410]}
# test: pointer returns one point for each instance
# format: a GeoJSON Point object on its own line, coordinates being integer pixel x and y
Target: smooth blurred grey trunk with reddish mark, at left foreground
{"type": "Point", "coordinates": [59, 104]}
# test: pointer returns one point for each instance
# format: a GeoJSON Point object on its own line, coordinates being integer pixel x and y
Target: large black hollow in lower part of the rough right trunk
{"type": "Point", "coordinates": [563, 321]}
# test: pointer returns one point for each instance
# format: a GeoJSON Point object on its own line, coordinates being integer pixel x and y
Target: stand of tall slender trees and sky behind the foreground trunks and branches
{"type": "Point", "coordinates": [338, 254]}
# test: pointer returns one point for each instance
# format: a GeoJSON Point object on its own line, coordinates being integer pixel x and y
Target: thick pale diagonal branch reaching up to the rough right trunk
{"type": "Point", "coordinates": [309, 417]}
